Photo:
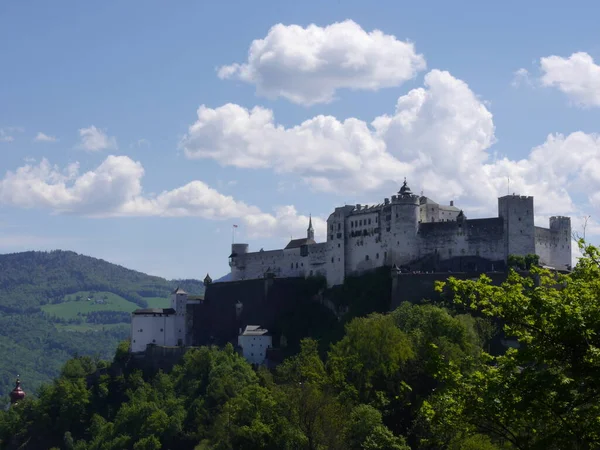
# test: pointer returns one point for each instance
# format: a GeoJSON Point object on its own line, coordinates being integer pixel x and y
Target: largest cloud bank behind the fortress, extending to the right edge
{"type": "Point", "coordinates": [439, 136]}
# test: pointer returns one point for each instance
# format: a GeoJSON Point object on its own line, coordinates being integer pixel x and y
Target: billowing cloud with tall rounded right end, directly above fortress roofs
{"type": "Point", "coordinates": [442, 128]}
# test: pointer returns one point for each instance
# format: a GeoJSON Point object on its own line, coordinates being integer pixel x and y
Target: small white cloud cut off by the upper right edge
{"type": "Point", "coordinates": [576, 76]}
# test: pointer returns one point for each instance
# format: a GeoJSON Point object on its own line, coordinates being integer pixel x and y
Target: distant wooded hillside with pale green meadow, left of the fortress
{"type": "Point", "coordinates": [54, 305]}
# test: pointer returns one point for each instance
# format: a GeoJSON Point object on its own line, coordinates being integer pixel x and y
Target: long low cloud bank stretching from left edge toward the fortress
{"type": "Point", "coordinates": [114, 189]}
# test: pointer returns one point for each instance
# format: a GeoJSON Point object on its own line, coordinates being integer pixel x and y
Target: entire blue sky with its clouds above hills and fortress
{"type": "Point", "coordinates": [115, 87]}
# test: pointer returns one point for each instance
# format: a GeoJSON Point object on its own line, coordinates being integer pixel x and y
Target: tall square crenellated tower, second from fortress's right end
{"type": "Point", "coordinates": [519, 229]}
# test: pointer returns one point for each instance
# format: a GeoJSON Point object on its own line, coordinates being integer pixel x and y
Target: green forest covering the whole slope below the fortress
{"type": "Point", "coordinates": [419, 377]}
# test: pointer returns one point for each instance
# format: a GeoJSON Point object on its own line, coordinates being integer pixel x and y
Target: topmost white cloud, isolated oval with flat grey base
{"type": "Point", "coordinates": [308, 65]}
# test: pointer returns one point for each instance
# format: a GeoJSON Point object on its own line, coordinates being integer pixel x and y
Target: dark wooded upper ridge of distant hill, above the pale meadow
{"type": "Point", "coordinates": [30, 280]}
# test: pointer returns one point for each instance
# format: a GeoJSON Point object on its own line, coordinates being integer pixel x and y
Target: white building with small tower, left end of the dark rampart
{"type": "Point", "coordinates": [160, 326]}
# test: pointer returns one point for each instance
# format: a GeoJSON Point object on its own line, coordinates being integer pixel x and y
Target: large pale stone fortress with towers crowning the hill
{"type": "Point", "coordinates": [413, 233]}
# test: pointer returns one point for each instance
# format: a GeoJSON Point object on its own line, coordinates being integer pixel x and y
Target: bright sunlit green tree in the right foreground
{"type": "Point", "coordinates": [545, 394]}
